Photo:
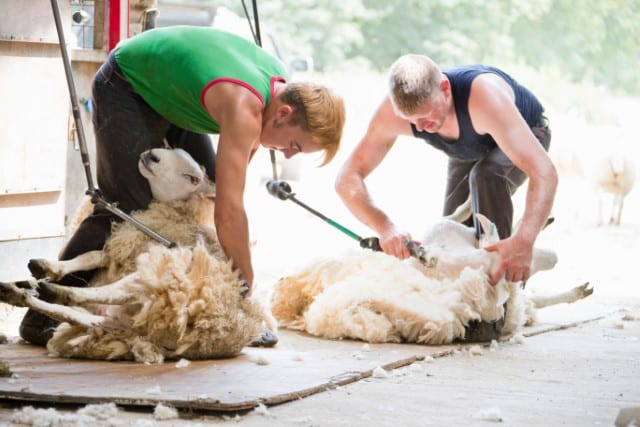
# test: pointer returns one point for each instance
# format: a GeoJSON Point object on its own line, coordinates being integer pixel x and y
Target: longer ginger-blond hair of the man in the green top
{"type": "Point", "coordinates": [319, 111]}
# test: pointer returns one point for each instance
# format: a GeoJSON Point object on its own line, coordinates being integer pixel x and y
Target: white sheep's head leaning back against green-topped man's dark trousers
{"type": "Point", "coordinates": [173, 174]}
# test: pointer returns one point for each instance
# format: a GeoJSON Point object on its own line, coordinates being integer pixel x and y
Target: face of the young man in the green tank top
{"type": "Point", "coordinates": [289, 140]}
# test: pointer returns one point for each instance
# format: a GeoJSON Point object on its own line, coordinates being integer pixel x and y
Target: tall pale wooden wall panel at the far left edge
{"type": "Point", "coordinates": [35, 127]}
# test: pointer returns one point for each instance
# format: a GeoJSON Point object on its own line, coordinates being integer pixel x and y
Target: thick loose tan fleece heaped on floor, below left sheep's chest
{"type": "Point", "coordinates": [186, 303]}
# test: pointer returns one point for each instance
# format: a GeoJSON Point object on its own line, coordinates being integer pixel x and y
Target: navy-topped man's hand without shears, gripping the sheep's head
{"type": "Point", "coordinates": [515, 260]}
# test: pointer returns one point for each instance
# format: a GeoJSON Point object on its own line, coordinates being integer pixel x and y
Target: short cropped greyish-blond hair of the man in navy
{"type": "Point", "coordinates": [413, 81]}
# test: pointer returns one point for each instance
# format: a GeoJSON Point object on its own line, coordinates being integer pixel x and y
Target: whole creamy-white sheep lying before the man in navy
{"type": "Point", "coordinates": [375, 297]}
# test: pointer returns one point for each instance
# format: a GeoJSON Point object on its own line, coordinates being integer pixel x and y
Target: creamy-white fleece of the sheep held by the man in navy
{"type": "Point", "coordinates": [377, 298]}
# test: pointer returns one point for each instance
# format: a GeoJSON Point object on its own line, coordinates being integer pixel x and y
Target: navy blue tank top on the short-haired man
{"type": "Point", "coordinates": [470, 145]}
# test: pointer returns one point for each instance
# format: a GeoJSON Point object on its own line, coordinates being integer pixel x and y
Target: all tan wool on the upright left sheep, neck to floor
{"type": "Point", "coordinates": [185, 301]}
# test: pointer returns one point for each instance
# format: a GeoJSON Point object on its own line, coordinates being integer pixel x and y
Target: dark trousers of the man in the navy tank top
{"type": "Point", "coordinates": [491, 181]}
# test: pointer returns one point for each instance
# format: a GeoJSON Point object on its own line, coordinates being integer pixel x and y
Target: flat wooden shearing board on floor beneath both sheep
{"type": "Point", "coordinates": [297, 367]}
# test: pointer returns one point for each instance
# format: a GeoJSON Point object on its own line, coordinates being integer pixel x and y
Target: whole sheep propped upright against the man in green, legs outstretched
{"type": "Point", "coordinates": [149, 302]}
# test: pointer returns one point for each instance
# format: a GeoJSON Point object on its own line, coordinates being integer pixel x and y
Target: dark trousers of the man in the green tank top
{"type": "Point", "coordinates": [125, 126]}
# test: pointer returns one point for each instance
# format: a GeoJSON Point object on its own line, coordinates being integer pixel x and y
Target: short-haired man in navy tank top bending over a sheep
{"type": "Point", "coordinates": [495, 135]}
